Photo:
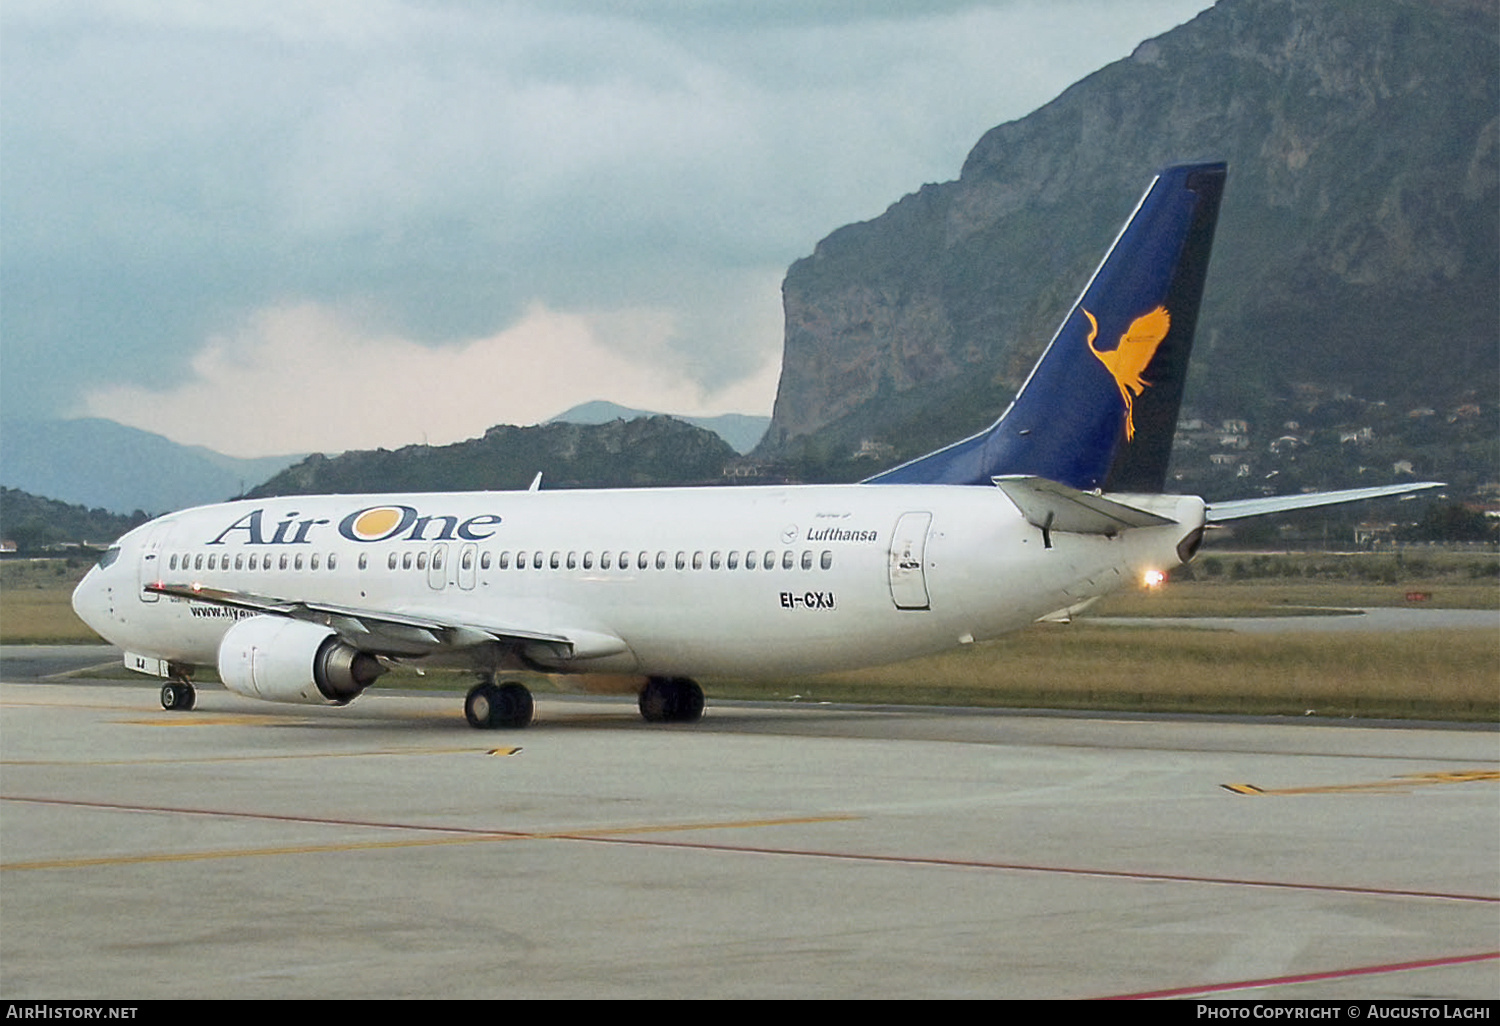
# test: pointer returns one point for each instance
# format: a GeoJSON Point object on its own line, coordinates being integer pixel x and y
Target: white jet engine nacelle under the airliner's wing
{"type": "Point", "coordinates": [293, 661]}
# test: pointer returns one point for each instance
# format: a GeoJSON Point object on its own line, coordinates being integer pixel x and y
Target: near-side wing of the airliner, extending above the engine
{"type": "Point", "coordinates": [407, 632]}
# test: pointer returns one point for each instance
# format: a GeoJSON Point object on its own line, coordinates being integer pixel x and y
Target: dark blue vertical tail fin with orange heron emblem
{"type": "Point", "coordinates": [1100, 407]}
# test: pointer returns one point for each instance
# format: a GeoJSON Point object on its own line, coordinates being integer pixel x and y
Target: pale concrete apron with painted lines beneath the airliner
{"type": "Point", "coordinates": [389, 851]}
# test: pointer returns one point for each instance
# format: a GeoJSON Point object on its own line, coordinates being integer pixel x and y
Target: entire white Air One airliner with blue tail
{"type": "Point", "coordinates": [310, 599]}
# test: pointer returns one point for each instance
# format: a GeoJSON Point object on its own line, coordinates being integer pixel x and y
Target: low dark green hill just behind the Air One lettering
{"type": "Point", "coordinates": [646, 452]}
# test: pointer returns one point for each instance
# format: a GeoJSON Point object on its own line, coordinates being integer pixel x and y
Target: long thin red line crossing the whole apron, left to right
{"type": "Point", "coordinates": [602, 838]}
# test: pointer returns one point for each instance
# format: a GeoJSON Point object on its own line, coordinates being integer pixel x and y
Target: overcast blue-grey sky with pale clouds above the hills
{"type": "Point", "coordinates": [280, 226]}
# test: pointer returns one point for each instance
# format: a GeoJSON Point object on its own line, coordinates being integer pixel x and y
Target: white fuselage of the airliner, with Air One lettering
{"type": "Point", "coordinates": [712, 581]}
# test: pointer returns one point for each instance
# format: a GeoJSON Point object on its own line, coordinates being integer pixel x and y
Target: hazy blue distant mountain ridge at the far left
{"type": "Point", "coordinates": [104, 464]}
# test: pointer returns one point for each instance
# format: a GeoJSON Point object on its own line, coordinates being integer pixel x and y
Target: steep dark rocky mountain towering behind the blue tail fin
{"type": "Point", "coordinates": [1357, 245]}
